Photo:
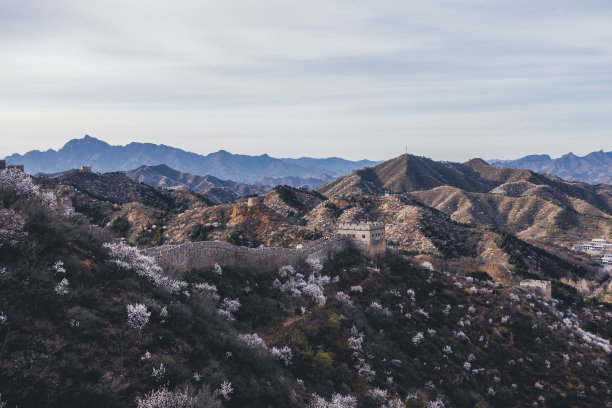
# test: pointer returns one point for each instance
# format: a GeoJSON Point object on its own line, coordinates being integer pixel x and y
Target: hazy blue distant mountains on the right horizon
{"type": "Point", "coordinates": [594, 168]}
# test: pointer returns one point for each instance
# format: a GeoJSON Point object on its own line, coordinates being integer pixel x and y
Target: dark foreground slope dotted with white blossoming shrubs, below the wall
{"type": "Point", "coordinates": [106, 327]}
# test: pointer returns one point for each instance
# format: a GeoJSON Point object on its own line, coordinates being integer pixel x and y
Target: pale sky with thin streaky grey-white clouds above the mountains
{"type": "Point", "coordinates": [446, 79]}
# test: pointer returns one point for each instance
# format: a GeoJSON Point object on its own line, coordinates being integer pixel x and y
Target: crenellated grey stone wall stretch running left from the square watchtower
{"type": "Point", "coordinates": [205, 254]}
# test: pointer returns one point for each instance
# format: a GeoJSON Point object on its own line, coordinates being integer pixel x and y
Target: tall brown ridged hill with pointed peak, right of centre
{"type": "Point", "coordinates": [533, 205]}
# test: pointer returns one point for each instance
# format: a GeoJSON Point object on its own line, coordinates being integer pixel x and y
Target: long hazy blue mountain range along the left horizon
{"type": "Point", "coordinates": [103, 157]}
